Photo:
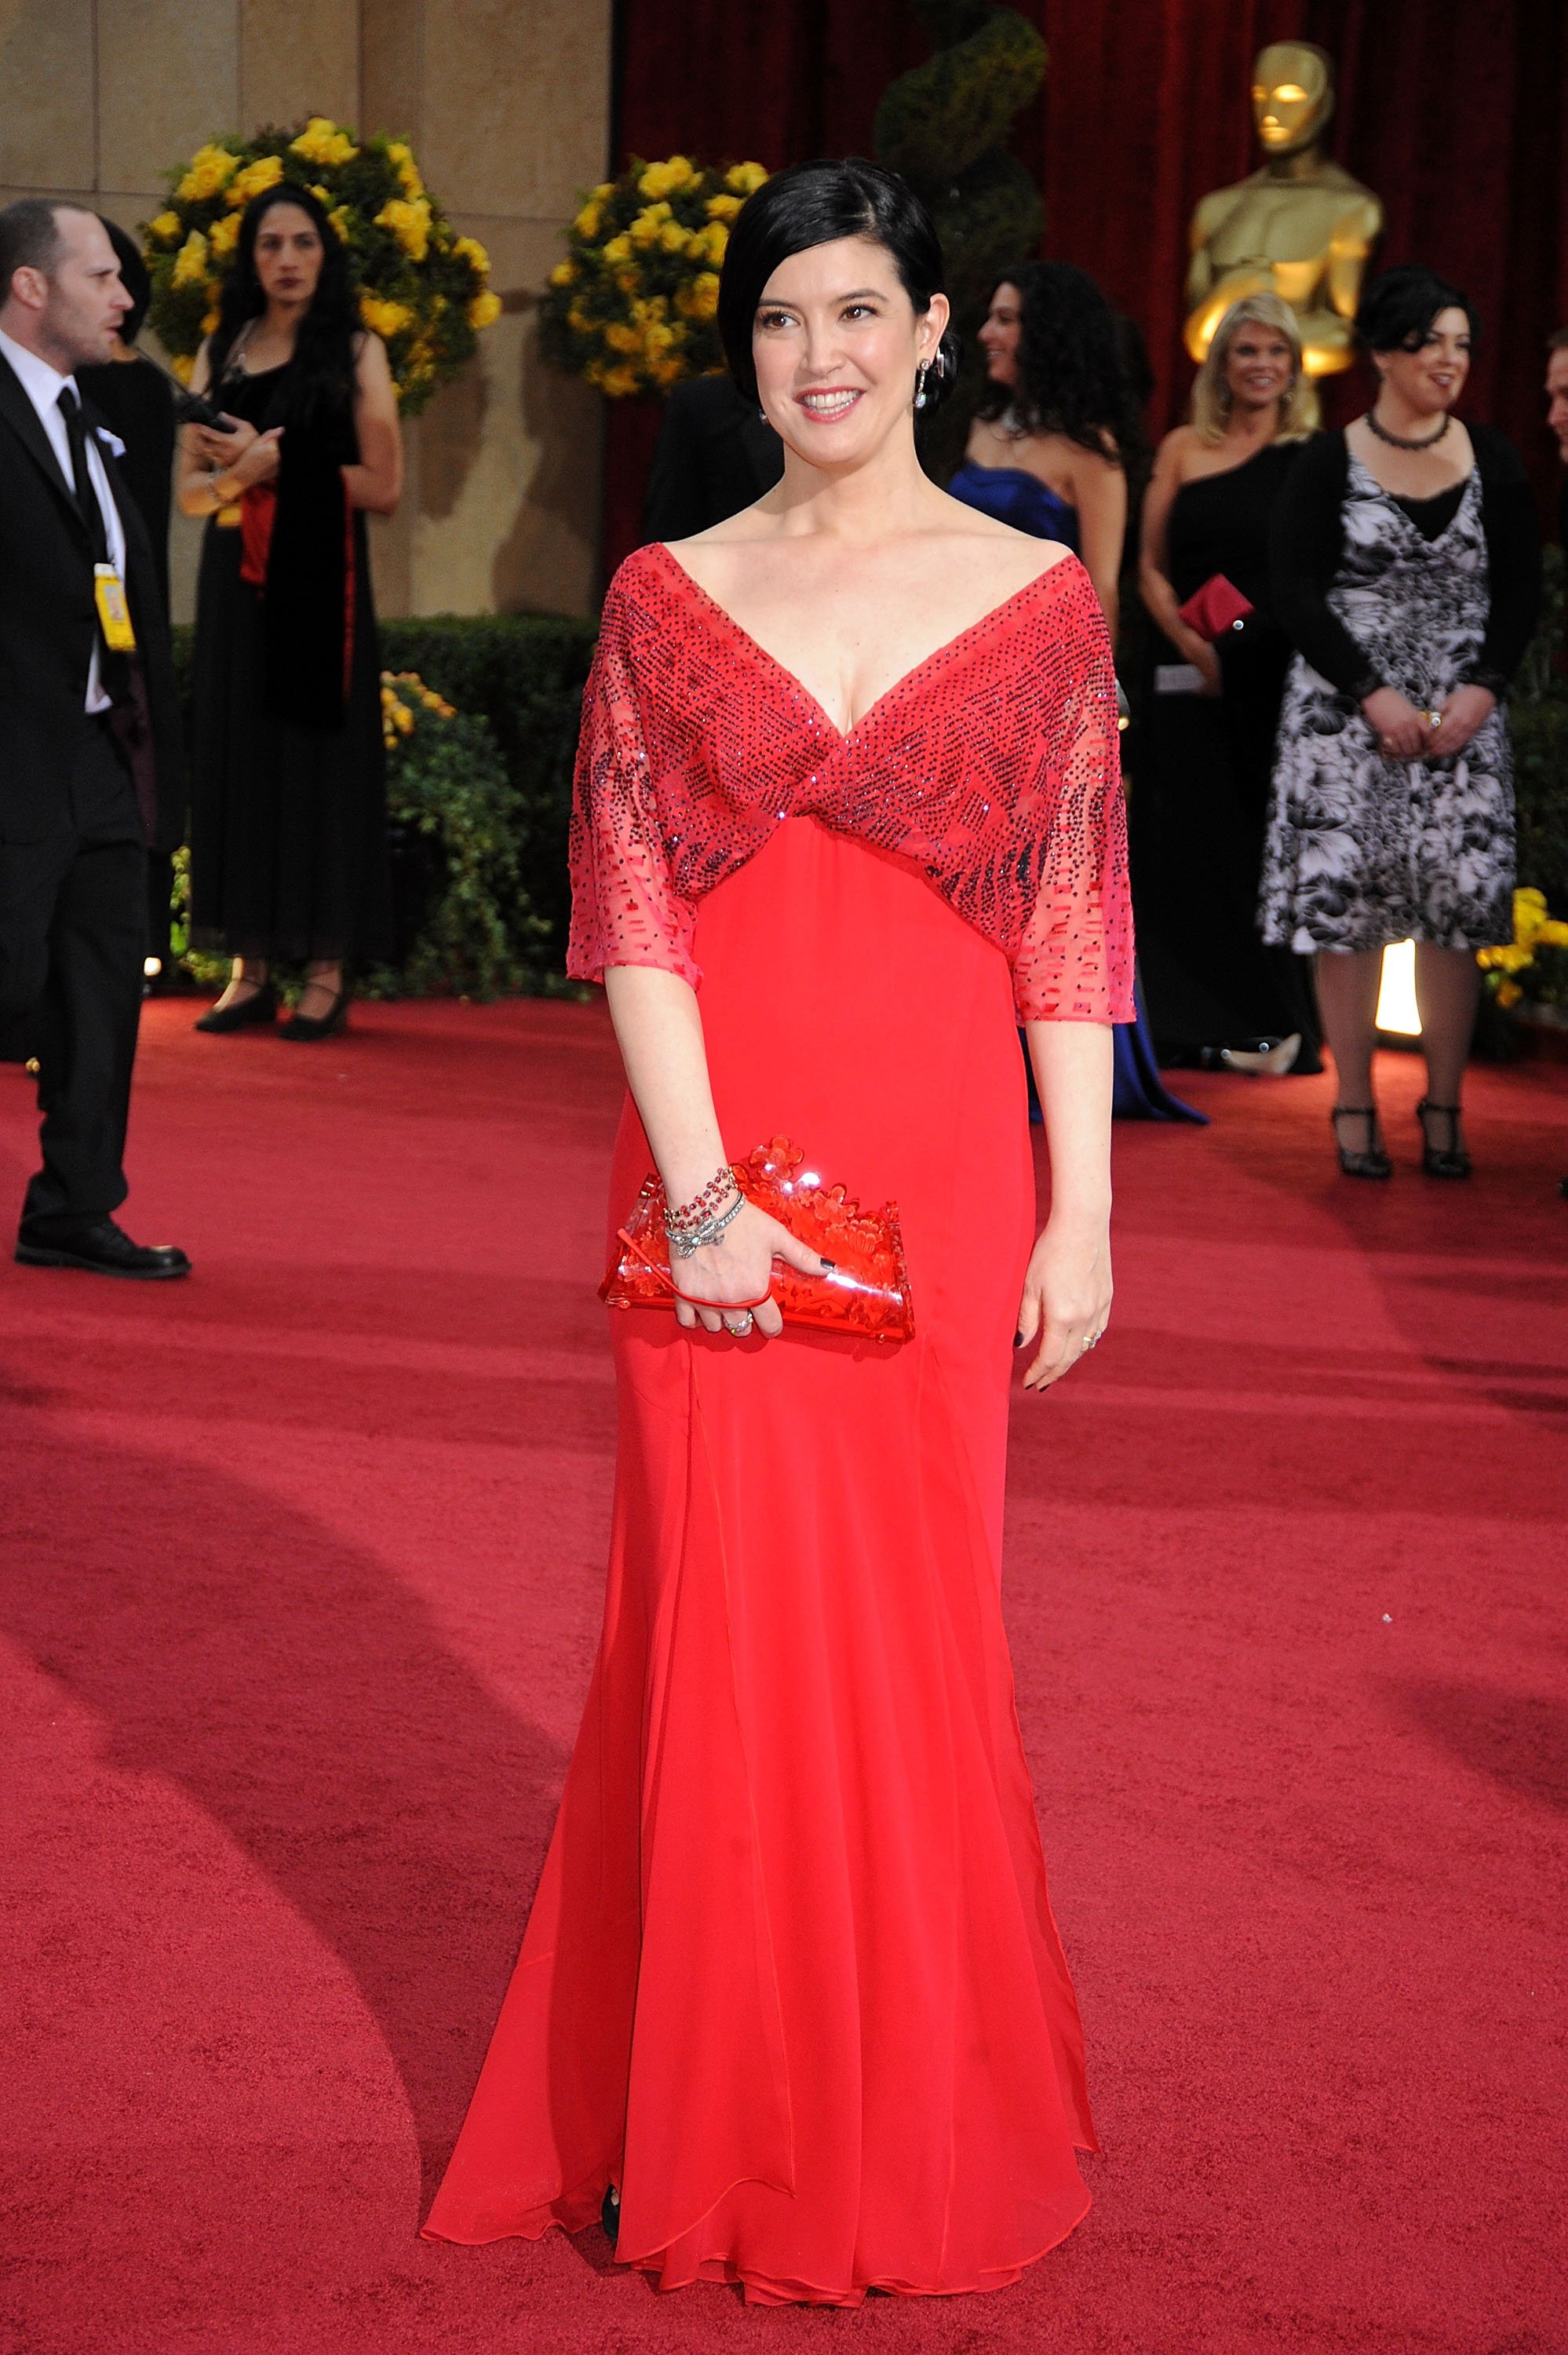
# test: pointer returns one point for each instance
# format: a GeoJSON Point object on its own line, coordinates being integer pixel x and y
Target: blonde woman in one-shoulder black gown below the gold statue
{"type": "Point", "coordinates": [1204, 755]}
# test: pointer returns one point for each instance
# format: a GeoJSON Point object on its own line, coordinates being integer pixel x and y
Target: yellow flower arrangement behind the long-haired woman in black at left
{"type": "Point", "coordinates": [418, 284]}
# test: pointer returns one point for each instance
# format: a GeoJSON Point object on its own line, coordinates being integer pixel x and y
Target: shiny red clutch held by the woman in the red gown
{"type": "Point", "coordinates": [868, 1292]}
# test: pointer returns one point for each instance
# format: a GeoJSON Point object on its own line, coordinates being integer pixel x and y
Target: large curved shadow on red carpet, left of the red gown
{"type": "Point", "coordinates": [314, 1711]}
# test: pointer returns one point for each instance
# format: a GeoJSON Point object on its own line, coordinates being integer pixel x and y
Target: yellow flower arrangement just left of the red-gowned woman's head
{"type": "Point", "coordinates": [634, 303]}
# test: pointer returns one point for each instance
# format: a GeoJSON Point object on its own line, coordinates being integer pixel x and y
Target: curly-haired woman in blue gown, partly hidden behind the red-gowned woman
{"type": "Point", "coordinates": [1047, 456]}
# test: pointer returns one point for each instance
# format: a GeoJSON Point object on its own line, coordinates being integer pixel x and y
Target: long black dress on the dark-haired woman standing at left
{"type": "Point", "coordinates": [288, 828]}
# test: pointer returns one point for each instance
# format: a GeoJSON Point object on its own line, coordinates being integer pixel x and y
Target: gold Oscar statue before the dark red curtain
{"type": "Point", "coordinates": [1301, 227]}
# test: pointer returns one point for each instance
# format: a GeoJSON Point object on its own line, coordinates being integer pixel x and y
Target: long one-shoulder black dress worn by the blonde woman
{"type": "Point", "coordinates": [1200, 804]}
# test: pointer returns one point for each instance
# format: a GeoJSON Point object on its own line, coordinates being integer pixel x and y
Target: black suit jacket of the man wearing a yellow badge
{"type": "Point", "coordinates": [48, 623]}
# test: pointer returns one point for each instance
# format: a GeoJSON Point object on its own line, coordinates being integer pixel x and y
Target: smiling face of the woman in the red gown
{"type": "Point", "coordinates": [837, 347]}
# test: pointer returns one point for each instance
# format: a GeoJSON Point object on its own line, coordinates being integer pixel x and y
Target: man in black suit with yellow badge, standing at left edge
{"type": "Point", "coordinates": [91, 769]}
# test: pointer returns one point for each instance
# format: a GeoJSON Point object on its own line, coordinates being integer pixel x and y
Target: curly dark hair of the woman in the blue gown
{"type": "Point", "coordinates": [1070, 369]}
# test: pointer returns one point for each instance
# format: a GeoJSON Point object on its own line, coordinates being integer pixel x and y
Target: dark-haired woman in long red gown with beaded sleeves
{"type": "Point", "coordinates": [792, 2008]}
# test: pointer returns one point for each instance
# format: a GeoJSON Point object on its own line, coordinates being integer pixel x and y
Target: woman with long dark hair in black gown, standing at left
{"type": "Point", "coordinates": [288, 837]}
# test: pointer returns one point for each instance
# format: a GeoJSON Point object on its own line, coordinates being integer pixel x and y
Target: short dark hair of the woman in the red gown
{"type": "Point", "coordinates": [816, 204]}
